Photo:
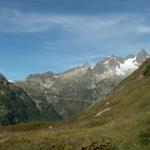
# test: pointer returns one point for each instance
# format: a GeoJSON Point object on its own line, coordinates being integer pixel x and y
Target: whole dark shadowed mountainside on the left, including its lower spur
{"type": "Point", "coordinates": [17, 106]}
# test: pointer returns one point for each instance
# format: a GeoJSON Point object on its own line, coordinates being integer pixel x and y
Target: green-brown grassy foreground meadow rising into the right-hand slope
{"type": "Point", "coordinates": [127, 123]}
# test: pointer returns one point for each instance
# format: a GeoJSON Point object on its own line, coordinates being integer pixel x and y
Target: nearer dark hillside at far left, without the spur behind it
{"type": "Point", "coordinates": [15, 105]}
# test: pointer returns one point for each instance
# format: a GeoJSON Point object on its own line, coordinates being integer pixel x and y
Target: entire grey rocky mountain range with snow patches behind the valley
{"type": "Point", "coordinates": [74, 90]}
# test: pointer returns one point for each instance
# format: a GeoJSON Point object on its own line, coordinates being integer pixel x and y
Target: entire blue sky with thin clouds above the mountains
{"type": "Point", "coordinates": [55, 35]}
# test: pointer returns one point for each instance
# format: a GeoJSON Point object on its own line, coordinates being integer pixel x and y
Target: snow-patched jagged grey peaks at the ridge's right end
{"type": "Point", "coordinates": [120, 66]}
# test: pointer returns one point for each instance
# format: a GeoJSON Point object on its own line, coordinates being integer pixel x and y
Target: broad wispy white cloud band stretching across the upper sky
{"type": "Point", "coordinates": [82, 28]}
